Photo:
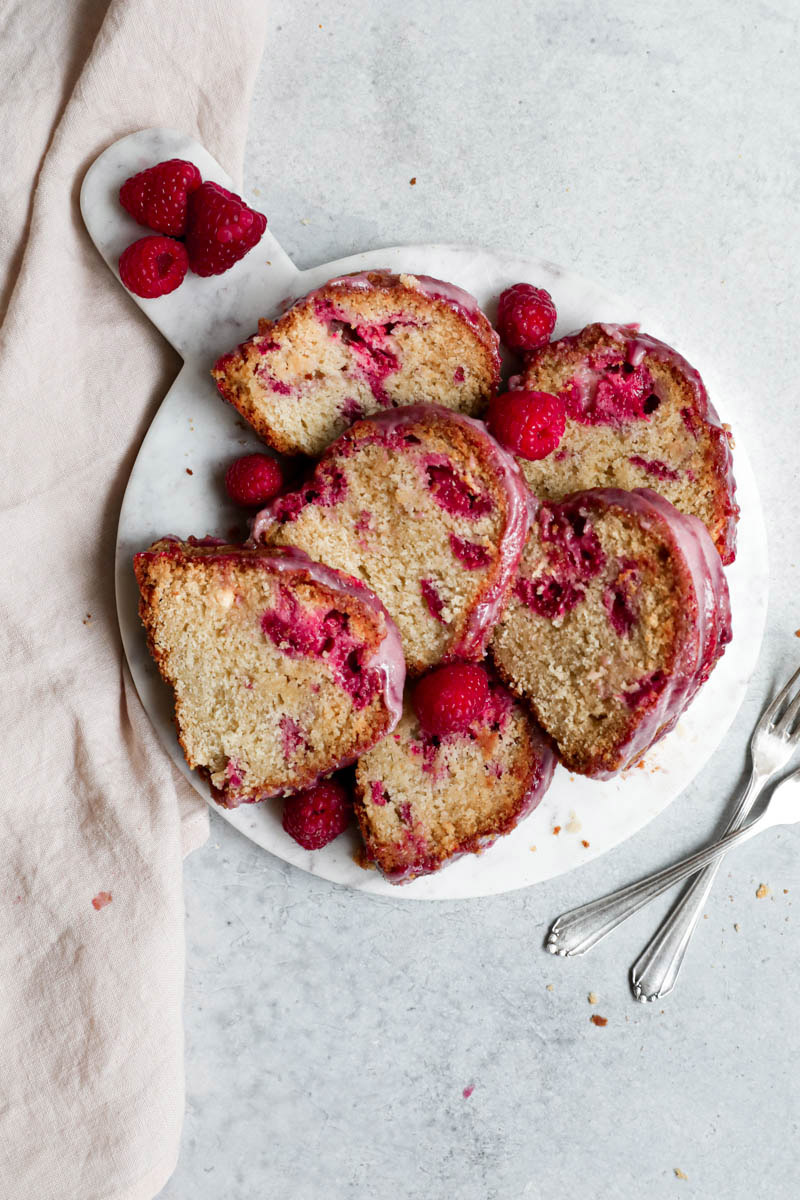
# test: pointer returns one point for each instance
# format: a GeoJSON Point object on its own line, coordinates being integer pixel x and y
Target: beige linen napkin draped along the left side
{"type": "Point", "coordinates": [92, 1088]}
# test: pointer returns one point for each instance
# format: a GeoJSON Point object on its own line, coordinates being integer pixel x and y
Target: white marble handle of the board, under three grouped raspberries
{"type": "Point", "coordinates": [203, 317]}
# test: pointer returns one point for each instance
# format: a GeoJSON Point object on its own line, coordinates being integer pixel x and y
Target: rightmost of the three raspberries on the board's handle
{"type": "Point", "coordinates": [221, 230]}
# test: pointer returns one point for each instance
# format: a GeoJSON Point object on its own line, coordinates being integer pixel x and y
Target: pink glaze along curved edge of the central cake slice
{"type": "Point", "coordinates": [393, 429]}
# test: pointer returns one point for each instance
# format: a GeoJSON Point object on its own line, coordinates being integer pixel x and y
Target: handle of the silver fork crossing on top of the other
{"type": "Point", "coordinates": [579, 931]}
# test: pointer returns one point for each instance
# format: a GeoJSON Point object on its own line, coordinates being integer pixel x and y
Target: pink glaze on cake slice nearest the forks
{"type": "Point", "coordinates": [660, 701]}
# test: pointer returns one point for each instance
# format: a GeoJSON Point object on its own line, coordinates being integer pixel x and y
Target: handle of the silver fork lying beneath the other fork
{"type": "Point", "coordinates": [655, 973]}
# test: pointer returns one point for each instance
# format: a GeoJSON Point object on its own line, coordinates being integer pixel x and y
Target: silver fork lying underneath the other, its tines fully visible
{"type": "Point", "coordinates": [775, 737]}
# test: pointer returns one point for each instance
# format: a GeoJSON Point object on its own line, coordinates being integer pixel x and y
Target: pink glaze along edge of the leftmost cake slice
{"type": "Point", "coordinates": [387, 662]}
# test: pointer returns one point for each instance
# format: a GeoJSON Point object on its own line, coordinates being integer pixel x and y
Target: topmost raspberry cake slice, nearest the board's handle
{"type": "Point", "coordinates": [359, 345]}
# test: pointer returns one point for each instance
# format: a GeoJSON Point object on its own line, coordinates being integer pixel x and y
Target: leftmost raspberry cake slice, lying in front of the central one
{"type": "Point", "coordinates": [282, 670]}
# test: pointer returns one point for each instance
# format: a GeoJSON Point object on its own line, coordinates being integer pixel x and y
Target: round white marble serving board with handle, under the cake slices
{"type": "Point", "coordinates": [177, 488]}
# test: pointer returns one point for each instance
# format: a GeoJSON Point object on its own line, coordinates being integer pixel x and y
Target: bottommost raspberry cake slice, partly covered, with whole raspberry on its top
{"type": "Point", "coordinates": [423, 801]}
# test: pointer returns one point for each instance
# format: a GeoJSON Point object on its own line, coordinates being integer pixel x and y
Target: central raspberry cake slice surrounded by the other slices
{"type": "Point", "coordinates": [428, 511]}
